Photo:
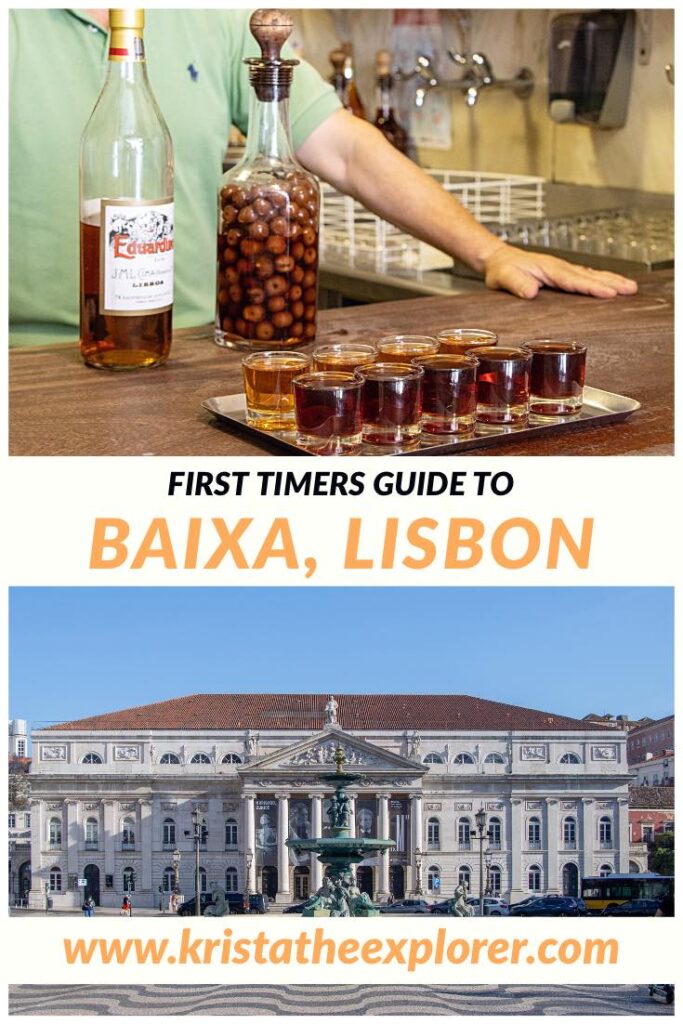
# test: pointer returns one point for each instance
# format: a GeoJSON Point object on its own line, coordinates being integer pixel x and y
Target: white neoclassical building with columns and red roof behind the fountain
{"type": "Point", "coordinates": [112, 797]}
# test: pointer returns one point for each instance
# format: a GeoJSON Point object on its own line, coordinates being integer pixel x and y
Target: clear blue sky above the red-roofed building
{"type": "Point", "coordinates": [79, 652]}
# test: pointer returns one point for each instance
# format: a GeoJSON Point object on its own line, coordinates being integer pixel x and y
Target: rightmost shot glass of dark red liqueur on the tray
{"type": "Point", "coordinates": [557, 378]}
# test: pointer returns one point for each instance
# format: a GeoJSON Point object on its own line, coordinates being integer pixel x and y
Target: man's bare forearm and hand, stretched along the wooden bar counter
{"type": "Point", "coordinates": [356, 158]}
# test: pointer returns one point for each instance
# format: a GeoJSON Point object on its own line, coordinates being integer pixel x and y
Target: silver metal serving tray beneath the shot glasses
{"type": "Point", "coordinates": [601, 408]}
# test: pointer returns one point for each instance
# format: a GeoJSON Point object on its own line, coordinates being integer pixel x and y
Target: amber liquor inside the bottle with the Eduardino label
{"type": "Point", "coordinates": [116, 343]}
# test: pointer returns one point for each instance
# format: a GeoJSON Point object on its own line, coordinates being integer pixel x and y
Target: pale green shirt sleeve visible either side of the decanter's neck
{"type": "Point", "coordinates": [312, 102]}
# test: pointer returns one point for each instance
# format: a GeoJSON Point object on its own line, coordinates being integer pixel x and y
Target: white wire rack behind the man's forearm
{"type": "Point", "coordinates": [350, 231]}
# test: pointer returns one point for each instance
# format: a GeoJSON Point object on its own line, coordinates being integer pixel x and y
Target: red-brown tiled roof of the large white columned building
{"type": "Point", "coordinates": [307, 711]}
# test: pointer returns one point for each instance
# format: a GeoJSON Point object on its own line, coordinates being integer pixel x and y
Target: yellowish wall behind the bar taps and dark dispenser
{"type": "Point", "coordinates": [503, 134]}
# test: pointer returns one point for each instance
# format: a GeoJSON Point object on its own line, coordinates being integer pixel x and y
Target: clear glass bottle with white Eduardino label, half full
{"type": "Point", "coordinates": [126, 190]}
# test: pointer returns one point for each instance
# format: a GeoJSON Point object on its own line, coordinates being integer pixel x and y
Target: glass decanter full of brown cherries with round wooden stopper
{"type": "Point", "coordinates": [268, 216]}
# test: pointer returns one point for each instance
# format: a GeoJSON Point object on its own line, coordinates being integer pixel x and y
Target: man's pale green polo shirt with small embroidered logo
{"type": "Point", "coordinates": [58, 67]}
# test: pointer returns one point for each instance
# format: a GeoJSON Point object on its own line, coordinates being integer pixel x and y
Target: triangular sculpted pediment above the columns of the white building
{"type": "Point", "coordinates": [316, 753]}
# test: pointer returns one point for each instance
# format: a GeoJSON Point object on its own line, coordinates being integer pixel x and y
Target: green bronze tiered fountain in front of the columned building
{"type": "Point", "coordinates": [339, 897]}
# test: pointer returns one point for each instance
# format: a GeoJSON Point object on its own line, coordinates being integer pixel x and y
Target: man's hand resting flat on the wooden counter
{"type": "Point", "coordinates": [525, 274]}
